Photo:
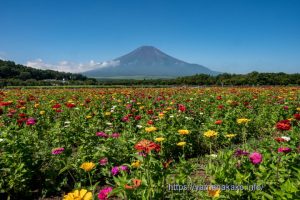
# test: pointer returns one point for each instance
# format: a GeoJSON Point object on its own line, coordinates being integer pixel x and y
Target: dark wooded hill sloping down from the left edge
{"type": "Point", "coordinates": [16, 74]}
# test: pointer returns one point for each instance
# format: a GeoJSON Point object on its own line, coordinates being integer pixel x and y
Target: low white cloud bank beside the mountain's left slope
{"type": "Point", "coordinates": [68, 66]}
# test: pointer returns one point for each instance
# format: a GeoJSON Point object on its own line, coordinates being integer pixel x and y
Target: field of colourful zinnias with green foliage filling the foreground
{"type": "Point", "coordinates": [150, 143]}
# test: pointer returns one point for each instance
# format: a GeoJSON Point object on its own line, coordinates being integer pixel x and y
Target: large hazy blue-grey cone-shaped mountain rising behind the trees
{"type": "Point", "coordinates": [148, 61]}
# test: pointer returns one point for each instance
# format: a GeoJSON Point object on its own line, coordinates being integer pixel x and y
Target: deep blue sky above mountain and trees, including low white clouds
{"type": "Point", "coordinates": [229, 36]}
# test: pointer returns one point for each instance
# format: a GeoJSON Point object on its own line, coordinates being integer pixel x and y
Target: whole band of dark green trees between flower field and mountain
{"type": "Point", "coordinates": [12, 74]}
